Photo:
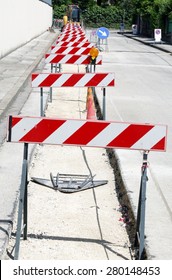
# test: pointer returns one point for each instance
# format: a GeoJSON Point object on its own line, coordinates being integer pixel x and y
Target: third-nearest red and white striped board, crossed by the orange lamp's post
{"type": "Point", "coordinates": [71, 59]}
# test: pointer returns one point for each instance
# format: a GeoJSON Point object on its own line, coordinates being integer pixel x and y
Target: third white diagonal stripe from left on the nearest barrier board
{"type": "Point", "coordinates": [108, 134]}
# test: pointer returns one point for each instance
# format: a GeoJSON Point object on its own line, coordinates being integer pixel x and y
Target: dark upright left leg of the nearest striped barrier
{"type": "Point", "coordinates": [25, 157]}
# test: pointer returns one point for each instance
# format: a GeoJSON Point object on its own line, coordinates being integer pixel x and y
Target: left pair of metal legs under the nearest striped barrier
{"type": "Point", "coordinates": [22, 204]}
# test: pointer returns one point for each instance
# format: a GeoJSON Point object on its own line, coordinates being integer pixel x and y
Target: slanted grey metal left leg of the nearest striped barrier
{"type": "Point", "coordinates": [21, 204]}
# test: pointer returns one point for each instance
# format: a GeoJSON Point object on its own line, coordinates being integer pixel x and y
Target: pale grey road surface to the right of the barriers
{"type": "Point", "coordinates": [143, 95]}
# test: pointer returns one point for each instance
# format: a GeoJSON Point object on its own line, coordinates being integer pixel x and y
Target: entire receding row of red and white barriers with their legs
{"type": "Point", "coordinates": [72, 47]}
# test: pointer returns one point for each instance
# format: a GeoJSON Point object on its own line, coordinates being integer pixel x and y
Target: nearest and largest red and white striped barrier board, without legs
{"type": "Point", "coordinates": [87, 133]}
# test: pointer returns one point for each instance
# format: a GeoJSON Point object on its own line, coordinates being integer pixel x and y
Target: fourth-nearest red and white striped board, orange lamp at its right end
{"type": "Point", "coordinates": [70, 50]}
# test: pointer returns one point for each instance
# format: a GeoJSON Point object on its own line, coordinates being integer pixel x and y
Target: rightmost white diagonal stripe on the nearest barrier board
{"type": "Point", "coordinates": [151, 138]}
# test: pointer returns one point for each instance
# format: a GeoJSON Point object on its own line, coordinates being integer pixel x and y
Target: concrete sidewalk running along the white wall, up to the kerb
{"type": "Point", "coordinates": [16, 67]}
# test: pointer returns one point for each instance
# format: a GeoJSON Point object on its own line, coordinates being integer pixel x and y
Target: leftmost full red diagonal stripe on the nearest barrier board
{"type": "Point", "coordinates": [42, 130]}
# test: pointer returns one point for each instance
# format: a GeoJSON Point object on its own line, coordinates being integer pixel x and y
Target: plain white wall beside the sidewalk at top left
{"type": "Point", "coordinates": [21, 21]}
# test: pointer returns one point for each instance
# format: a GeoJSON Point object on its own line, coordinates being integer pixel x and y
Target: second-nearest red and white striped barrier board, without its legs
{"type": "Point", "coordinates": [73, 80]}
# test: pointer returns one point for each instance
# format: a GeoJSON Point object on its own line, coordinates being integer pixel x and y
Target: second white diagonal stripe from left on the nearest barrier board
{"type": "Point", "coordinates": [64, 132]}
